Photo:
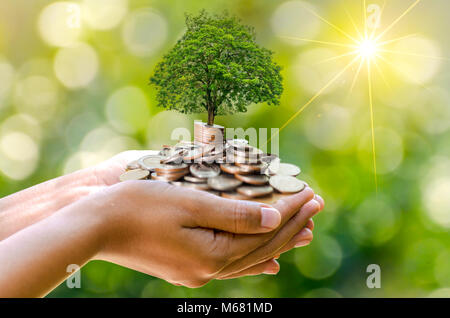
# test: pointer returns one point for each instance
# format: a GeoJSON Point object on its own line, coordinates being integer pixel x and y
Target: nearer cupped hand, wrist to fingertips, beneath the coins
{"type": "Point", "coordinates": [189, 237]}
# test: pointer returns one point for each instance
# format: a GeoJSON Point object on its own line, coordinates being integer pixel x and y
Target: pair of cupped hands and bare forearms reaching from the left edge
{"type": "Point", "coordinates": [184, 236]}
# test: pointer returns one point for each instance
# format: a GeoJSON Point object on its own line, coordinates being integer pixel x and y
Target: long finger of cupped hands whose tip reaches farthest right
{"type": "Point", "coordinates": [273, 247]}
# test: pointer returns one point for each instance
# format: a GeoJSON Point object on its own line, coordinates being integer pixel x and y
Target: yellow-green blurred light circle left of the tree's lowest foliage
{"type": "Point", "coordinates": [127, 110]}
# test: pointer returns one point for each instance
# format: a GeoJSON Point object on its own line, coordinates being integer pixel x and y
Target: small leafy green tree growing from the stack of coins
{"type": "Point", "coordinates": [216, 67]}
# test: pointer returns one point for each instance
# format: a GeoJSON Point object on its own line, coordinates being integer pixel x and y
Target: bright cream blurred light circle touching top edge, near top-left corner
{"type": "Point", "coordinates": [59, 23]}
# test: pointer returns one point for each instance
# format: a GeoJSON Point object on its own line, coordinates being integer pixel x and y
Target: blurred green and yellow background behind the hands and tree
{"type": "Point", "coordinates": [74, 91]}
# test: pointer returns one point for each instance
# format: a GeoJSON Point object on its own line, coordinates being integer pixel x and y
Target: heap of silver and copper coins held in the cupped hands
{"type": "Point", "coordinates": [232, 169]}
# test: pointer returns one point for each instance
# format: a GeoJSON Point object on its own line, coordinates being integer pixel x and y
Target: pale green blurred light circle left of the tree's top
{"type": "Point", "coordinates": [144, 32]}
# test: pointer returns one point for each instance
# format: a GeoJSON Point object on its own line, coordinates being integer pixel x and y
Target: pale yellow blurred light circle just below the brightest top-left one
{"type": "Point", "coordinates": [76, 66]}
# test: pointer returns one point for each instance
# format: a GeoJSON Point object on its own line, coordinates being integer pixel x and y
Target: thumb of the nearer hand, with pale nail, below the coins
{"type": "Point", "coordinates": [237, 216]}
